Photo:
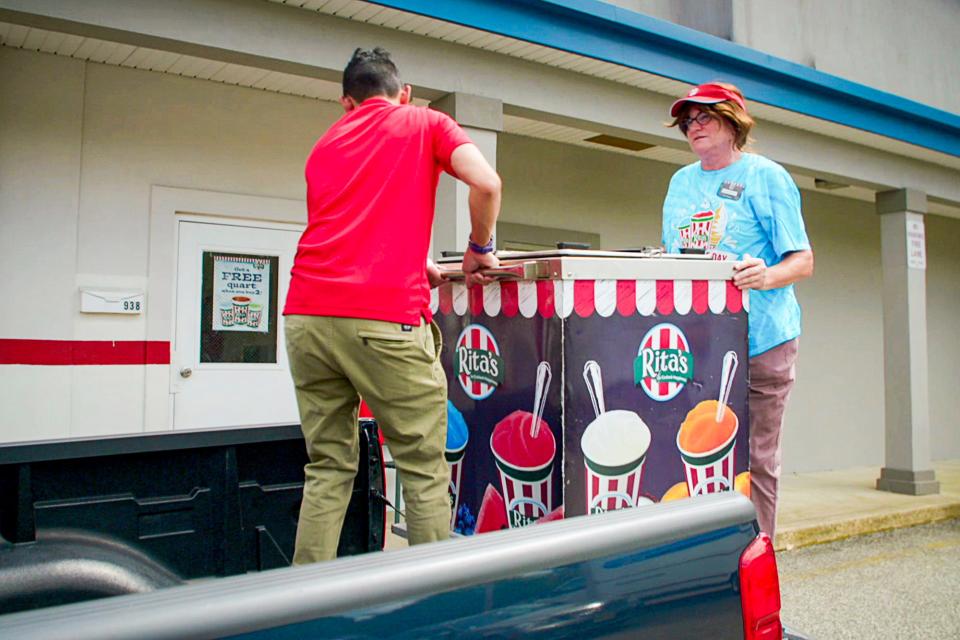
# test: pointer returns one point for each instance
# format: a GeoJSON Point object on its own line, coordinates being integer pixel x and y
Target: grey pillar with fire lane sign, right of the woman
{"type": "Point", "coordinates": [907, 466]}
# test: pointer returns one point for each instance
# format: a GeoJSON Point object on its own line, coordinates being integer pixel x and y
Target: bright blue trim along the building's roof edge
{"type": "Point", "coordinates": [611, 34]}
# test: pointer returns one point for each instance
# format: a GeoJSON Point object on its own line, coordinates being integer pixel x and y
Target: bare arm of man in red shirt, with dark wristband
{"type": "Point", "coordinates": [484, 199]}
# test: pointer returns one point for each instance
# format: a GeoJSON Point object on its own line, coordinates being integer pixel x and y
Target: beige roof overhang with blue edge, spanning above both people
{"type": "Point", "coordinates": [297, 66]}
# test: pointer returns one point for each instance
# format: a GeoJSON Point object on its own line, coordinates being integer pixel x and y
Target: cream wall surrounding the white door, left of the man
{"type": "Point", "coordinates": [82, 145]}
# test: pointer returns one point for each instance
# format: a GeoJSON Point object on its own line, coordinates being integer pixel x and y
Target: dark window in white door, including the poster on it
{"type": "Point", "coordinates": [238, 308]}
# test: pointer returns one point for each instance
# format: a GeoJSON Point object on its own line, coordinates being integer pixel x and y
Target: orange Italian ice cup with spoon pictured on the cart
{"type": "Point", "coordinates": [707, 437]}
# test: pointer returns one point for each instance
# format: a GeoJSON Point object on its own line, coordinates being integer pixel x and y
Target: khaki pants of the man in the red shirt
{"type": "Point", "coordinates": [398, 373]}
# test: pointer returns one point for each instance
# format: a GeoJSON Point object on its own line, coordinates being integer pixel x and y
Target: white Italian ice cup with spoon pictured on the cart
{"type": "Point", "coordinates": [614, 449]}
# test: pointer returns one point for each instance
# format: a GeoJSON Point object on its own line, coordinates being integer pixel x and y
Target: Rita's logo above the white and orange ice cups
{"type": "Point", "coordinates": [664, 363]}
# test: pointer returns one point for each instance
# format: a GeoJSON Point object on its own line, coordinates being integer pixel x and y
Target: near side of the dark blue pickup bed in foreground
{"type": "Point", "coordinates": [660, 571]}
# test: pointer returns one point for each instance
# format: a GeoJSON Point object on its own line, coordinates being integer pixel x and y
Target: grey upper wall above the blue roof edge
{"type": "Point", "coordinates": [904, 48]}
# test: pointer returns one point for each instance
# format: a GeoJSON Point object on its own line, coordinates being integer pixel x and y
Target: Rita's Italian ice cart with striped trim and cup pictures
{"type": "Point", "coordinates": [588, 381]}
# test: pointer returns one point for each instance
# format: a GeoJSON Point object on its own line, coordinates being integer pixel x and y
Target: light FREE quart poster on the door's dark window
{"type": "Point", "coordinates": [241, 296]}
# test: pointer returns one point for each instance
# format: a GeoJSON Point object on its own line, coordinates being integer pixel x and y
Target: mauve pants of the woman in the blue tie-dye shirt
{"type": "Point", "coordinates": [772, 374]}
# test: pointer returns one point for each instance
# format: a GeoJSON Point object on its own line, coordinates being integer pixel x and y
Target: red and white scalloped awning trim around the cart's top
{"type": "Point", "coordinates": [585, 297]}
